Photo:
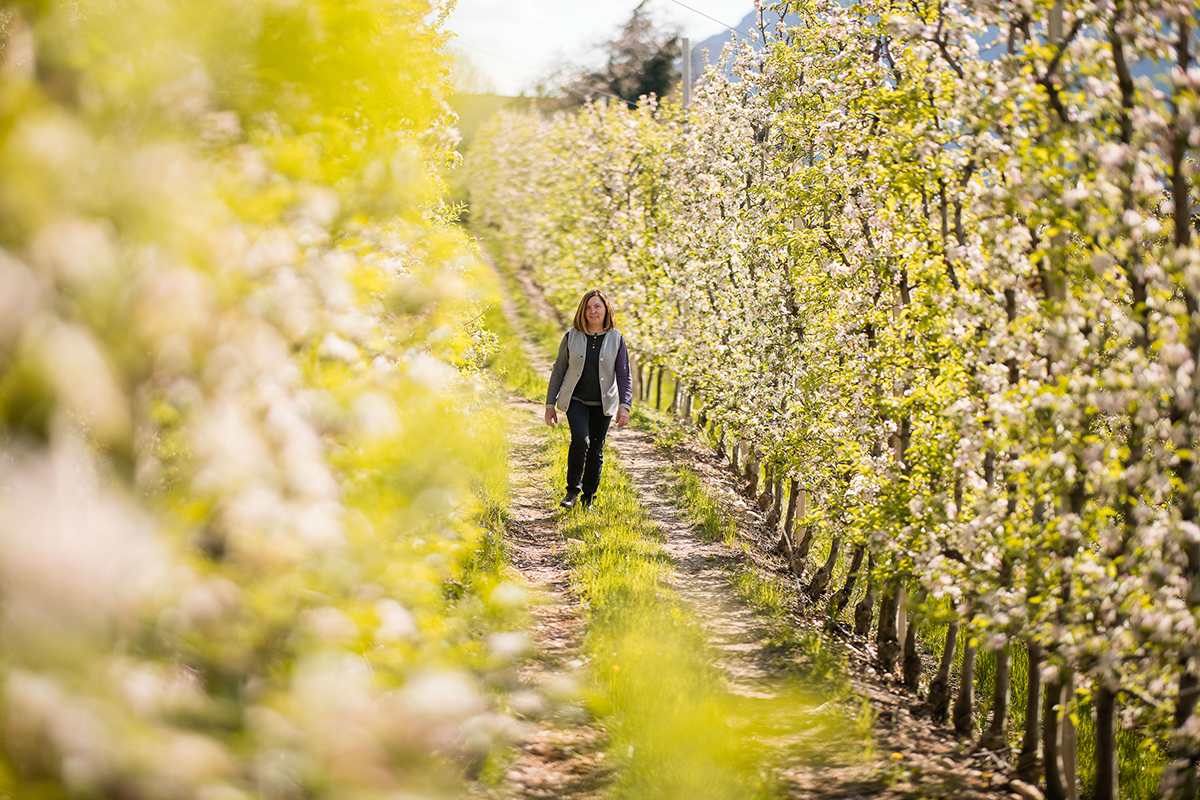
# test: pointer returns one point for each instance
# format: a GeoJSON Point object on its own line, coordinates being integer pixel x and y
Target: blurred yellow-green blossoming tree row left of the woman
{"type": "Point", "coordinates": [245, 466]}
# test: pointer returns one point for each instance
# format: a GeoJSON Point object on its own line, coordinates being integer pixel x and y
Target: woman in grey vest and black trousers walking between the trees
{"type": "Point", "coordinates": [592, 383]}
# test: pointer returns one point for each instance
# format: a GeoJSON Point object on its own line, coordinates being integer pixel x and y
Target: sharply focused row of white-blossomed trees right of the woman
{"type": "Point", "coordinates": [934, 267]}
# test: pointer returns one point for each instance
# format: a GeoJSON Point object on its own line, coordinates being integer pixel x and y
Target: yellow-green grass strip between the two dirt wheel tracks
{"type": "Point", "coordinates": [675, 731]}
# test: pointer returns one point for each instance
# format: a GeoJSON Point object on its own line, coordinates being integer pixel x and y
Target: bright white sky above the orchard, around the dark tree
{"type": "Point", "coordinates": [513, 43]}
